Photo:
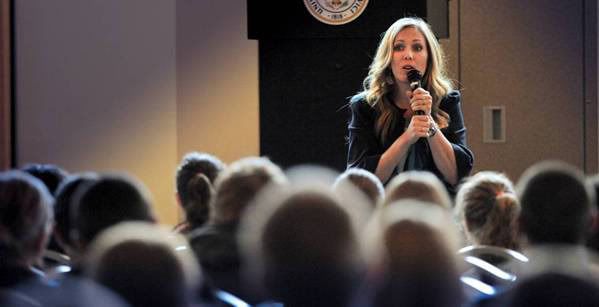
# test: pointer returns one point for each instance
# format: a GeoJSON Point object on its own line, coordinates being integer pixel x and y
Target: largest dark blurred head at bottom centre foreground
{"type": "Point", "coordinates": [306, 245]}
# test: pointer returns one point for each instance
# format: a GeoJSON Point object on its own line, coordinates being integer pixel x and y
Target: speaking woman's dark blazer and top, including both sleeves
{"type": "Point", "coordinates": [365, 148]}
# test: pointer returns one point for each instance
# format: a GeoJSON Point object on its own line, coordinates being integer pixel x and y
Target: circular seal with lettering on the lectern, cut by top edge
{"type": "Point", "coordinates": [335, 12]}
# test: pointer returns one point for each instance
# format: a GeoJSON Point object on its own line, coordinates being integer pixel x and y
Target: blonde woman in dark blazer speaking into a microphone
{"type": "Point", "coordinates": [385, 135]}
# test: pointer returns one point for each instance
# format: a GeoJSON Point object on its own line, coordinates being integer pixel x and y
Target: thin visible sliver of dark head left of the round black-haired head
{"type": "Point", "coordinates": [63, 207]}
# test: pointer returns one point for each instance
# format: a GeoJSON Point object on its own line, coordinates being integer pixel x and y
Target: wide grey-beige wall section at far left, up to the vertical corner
{"type": "Point", "coordinates": [96, 89]}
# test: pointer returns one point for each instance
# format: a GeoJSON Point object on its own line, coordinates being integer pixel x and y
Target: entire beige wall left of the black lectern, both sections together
{"type": "Point", "coordinates": [112, 85]}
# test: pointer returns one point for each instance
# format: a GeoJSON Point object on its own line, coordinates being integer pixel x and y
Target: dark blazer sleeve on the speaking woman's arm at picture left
{"type": "Point", "coordinates": [364, 149]}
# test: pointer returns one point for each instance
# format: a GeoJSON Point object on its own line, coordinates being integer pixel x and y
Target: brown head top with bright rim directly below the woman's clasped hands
{"type": "Point", "coordinates": [418, 185]}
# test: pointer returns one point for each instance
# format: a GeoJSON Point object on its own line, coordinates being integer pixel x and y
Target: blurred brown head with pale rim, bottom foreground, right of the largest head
{"type": "Point", "coordinates": [412, 261]}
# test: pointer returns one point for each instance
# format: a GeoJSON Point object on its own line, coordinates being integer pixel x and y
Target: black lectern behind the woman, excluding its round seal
{"type": "Point", "coordinates": [308, 70]}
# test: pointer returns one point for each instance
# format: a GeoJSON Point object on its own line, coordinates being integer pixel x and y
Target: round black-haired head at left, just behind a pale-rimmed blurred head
{"type": "Point", "coordinates": [109, 201]}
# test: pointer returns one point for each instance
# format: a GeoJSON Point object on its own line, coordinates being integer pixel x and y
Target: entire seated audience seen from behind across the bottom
{"type": "Point", "coordinates": [256, 235]}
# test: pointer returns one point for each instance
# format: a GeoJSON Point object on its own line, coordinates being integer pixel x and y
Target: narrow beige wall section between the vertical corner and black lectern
{"type": "Point", "coordinates": [217, 80]}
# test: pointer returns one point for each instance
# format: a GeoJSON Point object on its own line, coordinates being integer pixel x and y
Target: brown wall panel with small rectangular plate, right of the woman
{"type": "Point", "coordinates": [528, 57]}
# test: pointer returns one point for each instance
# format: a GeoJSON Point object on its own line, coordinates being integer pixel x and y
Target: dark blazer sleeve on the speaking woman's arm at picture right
{"type": "Point", "coordinates": [456, 134]}
